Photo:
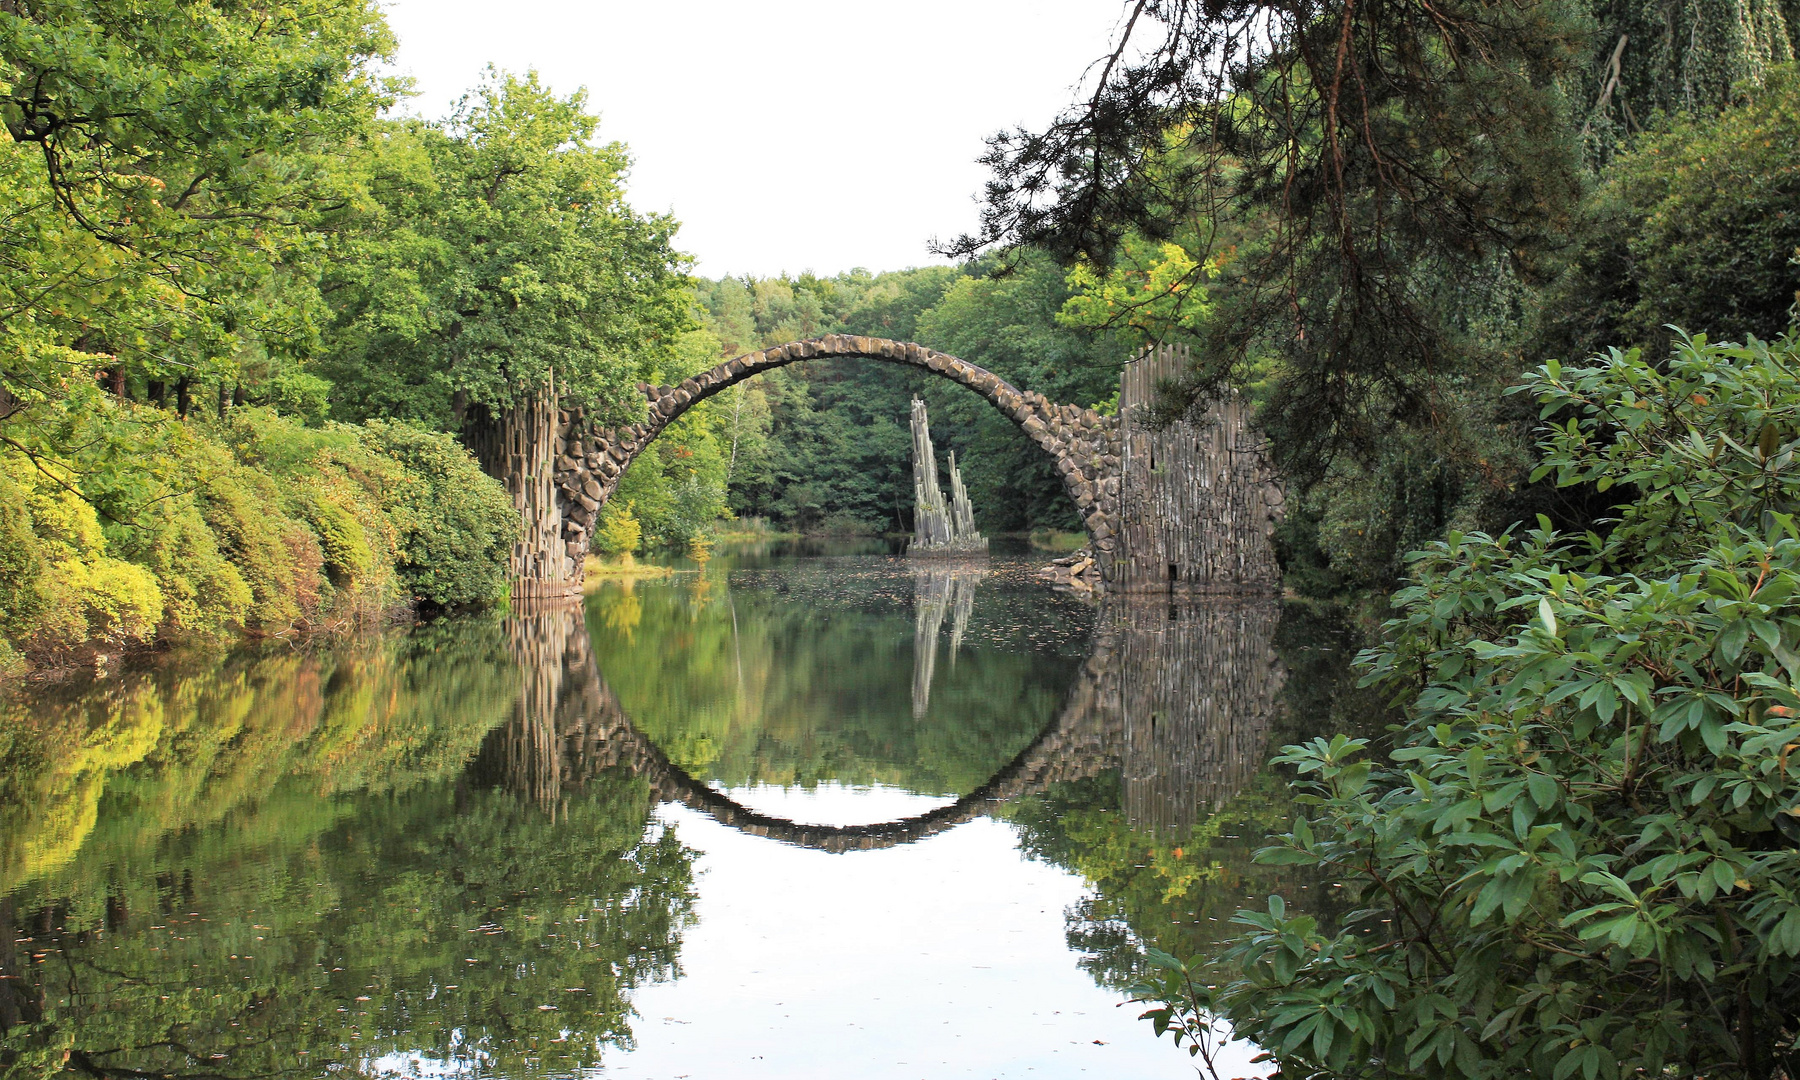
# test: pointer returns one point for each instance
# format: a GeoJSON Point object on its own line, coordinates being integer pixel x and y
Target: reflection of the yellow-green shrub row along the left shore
{"type": "Point", "coordinates": [188, 744]}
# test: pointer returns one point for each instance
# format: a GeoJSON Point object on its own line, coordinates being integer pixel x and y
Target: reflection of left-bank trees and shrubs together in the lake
{"type": "Point", "coordinates": [285, 890]}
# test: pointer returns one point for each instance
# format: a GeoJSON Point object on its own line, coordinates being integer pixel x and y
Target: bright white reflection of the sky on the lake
{"type": "Point", "coordinates": [940, 958]}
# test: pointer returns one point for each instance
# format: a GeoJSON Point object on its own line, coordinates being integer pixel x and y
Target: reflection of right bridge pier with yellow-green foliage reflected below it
{"type": "Point", "coordinates": [1165, 841]}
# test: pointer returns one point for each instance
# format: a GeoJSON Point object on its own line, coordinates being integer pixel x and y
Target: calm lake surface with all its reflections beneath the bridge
{"type": "Point", "coordinates": [793, 813]}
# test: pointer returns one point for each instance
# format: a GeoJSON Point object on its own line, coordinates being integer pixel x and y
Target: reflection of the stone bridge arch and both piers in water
{"type": "Point", "coordinates": [1180, 699]}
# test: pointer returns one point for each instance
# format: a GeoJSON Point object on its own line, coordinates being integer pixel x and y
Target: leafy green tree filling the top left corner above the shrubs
{"type": "Point", "coordinates": [159, 174]}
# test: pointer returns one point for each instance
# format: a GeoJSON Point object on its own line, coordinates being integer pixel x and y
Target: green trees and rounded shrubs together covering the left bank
{"type": "Point", "coordinates": [249, 319]}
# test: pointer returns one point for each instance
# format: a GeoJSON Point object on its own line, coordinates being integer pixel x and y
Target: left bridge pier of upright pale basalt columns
{"type": "Point", "coordinates": [519, 449]}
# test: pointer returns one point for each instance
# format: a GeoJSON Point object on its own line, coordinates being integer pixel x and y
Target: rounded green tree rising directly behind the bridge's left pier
{"type": "Point", "coordinates": [501, 256]}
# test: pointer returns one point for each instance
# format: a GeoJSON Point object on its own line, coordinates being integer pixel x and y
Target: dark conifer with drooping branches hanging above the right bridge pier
{"type": "Point", "coordinates": [1387, 165]}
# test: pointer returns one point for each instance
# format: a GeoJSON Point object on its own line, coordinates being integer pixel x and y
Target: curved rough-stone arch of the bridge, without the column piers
{"type": "Point", "coordinates": [1083, 444]}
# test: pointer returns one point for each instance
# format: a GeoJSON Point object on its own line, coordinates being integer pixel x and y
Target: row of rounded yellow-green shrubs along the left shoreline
{"type": "Point", "coordinates": [253, 525]}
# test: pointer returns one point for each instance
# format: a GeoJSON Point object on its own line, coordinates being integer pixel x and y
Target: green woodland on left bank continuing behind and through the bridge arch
{"type": "Point", "coordinates": [249, 323]}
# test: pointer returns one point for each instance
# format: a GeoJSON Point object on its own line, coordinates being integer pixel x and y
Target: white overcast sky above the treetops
{"type": "Point", "coordinates": [732, 107]}
